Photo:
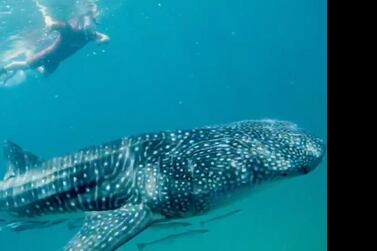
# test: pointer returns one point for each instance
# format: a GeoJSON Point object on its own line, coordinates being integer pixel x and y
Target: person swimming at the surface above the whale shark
{"type": "Point", "coordinates": [72, 36]}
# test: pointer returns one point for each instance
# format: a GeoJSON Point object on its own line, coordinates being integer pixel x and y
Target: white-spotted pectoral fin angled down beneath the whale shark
{"type": "Point", "coordinates": [108, 230]}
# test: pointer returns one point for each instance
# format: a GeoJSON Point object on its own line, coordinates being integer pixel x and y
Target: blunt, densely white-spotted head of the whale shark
{"type": "Point", "coordinates": [280, 149]}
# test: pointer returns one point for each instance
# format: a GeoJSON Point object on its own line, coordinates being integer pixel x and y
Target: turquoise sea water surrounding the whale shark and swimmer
{"type": "Point", "coordinates": [180, 64]}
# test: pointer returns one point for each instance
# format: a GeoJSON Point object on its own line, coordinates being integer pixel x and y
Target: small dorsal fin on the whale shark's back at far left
{"type": "Point", "coordinates": [18, 160]}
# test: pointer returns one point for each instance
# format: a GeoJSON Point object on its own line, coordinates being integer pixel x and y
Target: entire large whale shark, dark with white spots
{"type": "Point", "coordinates": [125, 186]}
